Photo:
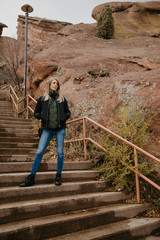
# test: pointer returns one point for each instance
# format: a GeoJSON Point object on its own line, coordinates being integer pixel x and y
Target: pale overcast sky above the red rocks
{"type": "Point", "coordinates": [73, 11]}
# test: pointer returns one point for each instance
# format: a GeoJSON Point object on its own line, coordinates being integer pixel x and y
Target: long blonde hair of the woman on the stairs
{"type": "Point", "coordinates": [46, 94]}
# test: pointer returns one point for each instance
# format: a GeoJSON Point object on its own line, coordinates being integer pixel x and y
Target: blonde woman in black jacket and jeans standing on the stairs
{"type": "Point", "coordinates": [52, 109]}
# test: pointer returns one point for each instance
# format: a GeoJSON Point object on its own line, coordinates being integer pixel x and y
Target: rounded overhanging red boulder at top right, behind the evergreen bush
{"type": "Point", "coordinates": [131, 18]}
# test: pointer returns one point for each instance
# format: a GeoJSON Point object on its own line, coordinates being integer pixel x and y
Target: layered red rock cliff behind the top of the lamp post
{"type": "Point", "coordinates": [39, 29]}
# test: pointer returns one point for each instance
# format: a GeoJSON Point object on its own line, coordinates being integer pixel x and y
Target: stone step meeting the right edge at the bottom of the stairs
{"type": "Point", "coordinates": [130, 229]}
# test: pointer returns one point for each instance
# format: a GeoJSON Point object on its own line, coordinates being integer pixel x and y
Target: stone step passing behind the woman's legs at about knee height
{"type": "Point", "coordinates": [20, 157]}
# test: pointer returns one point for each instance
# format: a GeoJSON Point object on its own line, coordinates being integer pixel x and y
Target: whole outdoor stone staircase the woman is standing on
{"type": "Point", "coordinates": [78, 209]}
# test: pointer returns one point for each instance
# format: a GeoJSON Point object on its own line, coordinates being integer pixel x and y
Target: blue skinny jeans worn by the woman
{"type": "Point", "coordinates": [43, 143]}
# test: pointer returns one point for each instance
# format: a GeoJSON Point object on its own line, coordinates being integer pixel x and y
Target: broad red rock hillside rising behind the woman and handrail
{"type": "Point", "coordinates": [98, 75]}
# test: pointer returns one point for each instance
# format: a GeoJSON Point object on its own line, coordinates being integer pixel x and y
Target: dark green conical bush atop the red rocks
{"type": "Point", "coordinates": [105, 23]}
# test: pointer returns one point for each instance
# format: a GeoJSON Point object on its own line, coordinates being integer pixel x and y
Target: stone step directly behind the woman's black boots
{"type": "Point", "coordinates": [14, 179]}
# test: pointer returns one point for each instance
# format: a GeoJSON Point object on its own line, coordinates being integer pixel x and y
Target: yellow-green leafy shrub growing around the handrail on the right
{"type": "Point", "coordinates": [132, 124]}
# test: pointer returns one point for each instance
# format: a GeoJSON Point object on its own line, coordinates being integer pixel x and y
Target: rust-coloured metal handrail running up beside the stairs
{"type": "Point", "coordinates": [134, 169]}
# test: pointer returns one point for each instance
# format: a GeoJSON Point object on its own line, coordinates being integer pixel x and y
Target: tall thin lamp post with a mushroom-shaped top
{"type": "Point", "coordinates": [27, 9]}
